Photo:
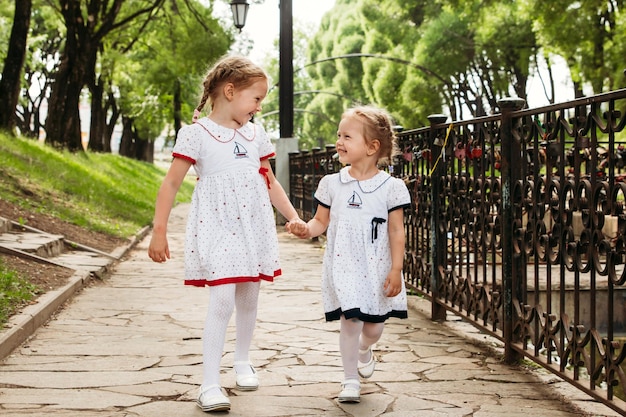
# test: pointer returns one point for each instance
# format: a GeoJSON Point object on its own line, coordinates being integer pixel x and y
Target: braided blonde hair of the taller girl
{"type": "Point", "coordinates": [238, 70]}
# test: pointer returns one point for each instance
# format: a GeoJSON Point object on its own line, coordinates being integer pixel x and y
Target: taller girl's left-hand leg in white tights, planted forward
{"type": "Point", "coordinates": [221, 306]}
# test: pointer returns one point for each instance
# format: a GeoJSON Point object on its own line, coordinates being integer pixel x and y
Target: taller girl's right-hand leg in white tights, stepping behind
{"type": "Point", "coordinates": [246, 302]}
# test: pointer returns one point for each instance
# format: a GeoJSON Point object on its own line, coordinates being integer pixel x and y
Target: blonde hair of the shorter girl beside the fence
{"type": "Point", "coordinates": [377, 125]}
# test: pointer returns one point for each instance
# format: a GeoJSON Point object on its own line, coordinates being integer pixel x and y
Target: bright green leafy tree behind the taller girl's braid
{"type": "Point", "coordinates": [160, 79]}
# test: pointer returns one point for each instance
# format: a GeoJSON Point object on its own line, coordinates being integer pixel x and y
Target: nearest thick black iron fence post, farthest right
{"type": "Point", "coordinates": [510, 169]}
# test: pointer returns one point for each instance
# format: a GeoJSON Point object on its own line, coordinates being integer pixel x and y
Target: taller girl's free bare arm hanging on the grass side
{"type": "Point", "coordinates": [158, 250]}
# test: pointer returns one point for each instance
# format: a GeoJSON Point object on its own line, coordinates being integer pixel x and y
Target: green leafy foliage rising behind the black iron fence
{"type": "Point", "coordinates": [457, 57]}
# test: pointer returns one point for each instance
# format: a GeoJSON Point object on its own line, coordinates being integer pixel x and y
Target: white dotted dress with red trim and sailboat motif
{"type": "Point", "coordinates": [231, 229]}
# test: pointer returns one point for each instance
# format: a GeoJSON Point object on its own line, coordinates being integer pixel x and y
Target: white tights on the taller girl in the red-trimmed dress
{"type": "Point", "coordinates": [223, 300]}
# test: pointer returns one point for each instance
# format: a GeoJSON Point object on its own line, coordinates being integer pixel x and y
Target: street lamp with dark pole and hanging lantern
{"type": "Point", "coordinates": [285, 60]}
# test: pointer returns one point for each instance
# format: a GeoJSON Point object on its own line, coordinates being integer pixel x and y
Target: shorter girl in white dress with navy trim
{"type": "Point", "coordinates": [362, 208]}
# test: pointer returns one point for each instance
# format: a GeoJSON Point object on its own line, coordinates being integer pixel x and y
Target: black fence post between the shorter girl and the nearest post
{"type": "Point", "coordinates": [438, 239]}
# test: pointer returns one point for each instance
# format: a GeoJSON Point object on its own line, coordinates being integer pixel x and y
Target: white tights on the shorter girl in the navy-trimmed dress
{"type": "Point", "coordinates": [355, 335]}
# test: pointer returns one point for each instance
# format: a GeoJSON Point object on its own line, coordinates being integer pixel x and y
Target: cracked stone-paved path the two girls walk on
{"type": "Point", "coordinates": [131, 346]}
